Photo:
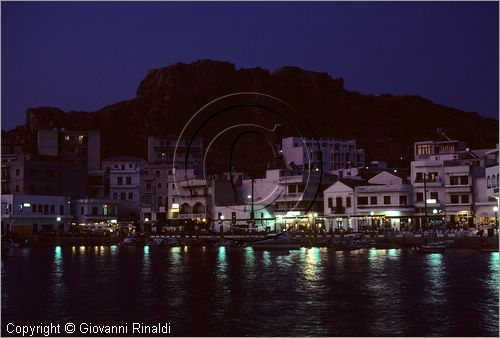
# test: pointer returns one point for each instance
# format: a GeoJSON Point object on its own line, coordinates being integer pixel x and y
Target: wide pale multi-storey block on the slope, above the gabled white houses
{"type": "Point", "coordinates": [326, 153]}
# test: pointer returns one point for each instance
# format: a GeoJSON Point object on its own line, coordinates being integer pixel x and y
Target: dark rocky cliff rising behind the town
{"type": "Point", "coordinates": [386, 125]}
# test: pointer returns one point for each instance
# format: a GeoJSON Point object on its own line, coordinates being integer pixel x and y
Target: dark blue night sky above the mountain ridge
{"type": "Point", "coordinates": [83, 56]}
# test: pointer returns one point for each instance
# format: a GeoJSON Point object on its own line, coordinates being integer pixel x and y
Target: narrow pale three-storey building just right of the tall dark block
{"type": "Point", "coordinates": [123, 181]}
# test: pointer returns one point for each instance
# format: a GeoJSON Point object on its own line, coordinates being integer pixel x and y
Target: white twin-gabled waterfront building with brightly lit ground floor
{"type": "Point", "coordinates": [383, 201]}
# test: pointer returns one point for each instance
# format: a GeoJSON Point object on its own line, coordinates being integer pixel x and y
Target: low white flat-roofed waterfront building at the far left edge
{"type": "Point", "coordinates": [28, 215]}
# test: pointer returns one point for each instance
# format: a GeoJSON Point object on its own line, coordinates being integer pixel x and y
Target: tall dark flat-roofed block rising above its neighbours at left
{"type": "Point", "coordinates": [78, 147]}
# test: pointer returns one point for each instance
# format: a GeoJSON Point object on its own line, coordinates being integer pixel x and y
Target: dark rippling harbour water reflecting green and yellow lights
{"type": "Point", "coordinates": [231, 291]}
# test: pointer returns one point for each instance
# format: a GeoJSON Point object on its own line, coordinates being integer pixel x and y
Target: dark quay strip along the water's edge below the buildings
{"type": "Point", "coordinates": [462, 239]}
